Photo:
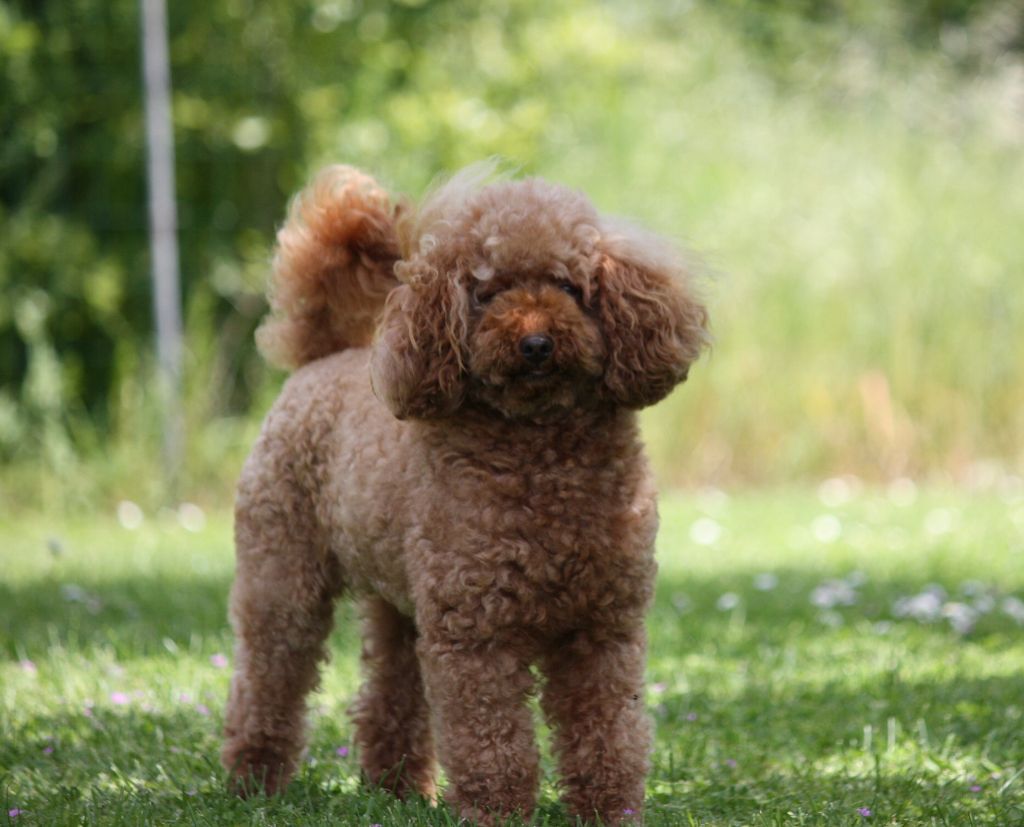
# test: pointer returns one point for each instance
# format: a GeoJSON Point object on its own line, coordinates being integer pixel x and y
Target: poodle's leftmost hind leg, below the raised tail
{"type": "Point", "coordinates": [282, 608]}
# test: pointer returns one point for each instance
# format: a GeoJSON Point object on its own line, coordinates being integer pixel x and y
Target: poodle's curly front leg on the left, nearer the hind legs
{"type": "Point", "coordinates": [478, 693]}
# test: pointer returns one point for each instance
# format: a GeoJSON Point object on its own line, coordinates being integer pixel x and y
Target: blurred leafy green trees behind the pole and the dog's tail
{"type": "Point", "coordinates": [264, 93]}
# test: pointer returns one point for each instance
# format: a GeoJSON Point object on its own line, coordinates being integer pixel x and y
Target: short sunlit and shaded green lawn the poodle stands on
{"type": "Point", "coordinates": [770, 710]}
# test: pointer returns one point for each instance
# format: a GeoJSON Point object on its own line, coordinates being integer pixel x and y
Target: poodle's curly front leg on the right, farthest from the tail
{"type": "Point", "coordinates": [593, 701]}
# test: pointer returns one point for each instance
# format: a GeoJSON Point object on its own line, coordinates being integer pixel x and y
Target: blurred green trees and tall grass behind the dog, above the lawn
{"type": "Point", "coordinates": [851, 175]}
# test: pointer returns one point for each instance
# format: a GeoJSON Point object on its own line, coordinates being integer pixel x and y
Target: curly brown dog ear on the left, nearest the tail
{"type": "Point", "coordinates": [417, 366]}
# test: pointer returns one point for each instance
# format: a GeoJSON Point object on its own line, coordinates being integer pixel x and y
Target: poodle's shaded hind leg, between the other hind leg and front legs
{"type": "Point", "coordinates": [393, 722]}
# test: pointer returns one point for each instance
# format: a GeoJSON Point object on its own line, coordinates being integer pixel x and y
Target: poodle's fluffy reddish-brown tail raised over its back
{"type": "Point", "coordinates": [333, 270]}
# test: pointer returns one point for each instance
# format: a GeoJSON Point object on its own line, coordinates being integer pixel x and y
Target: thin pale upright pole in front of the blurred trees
{"type": "Point", "coordinates": [163, 232]}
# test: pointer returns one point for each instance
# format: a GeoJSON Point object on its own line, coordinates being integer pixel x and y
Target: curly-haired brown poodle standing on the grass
{"type": "Point", "coordinates": [458, 450]}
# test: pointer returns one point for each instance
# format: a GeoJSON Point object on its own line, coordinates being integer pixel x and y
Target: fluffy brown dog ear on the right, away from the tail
{"type": "Point", "coordinates": [655, 324]}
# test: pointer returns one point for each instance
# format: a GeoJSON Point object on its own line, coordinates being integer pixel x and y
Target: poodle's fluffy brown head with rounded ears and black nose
{"type": "Point", "coordinates": [520, 297]}
